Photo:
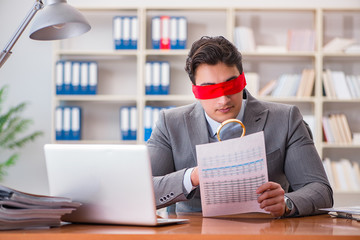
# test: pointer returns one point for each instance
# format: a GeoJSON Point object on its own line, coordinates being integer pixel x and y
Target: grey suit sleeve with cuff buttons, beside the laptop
{"type": "Point", "coordinates": [168, 183]}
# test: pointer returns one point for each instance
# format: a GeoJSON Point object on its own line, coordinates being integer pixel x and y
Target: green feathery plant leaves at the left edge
{"type": "Point", "coordinates": [12, 130]}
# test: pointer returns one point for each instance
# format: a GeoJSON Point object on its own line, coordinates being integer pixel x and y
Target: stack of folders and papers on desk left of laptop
{"type": "Point", "coordinates": [19, 210]}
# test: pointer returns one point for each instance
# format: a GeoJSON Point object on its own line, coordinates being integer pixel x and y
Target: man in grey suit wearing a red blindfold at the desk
{"type": "Point", "coordinates": [297, 184]}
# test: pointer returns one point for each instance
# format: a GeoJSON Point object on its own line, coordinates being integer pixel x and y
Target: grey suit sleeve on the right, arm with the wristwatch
{"type": "Point", "coordinates": [304, 169]}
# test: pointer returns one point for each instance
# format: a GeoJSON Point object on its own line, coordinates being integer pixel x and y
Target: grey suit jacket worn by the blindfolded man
{"type": "Point", "coordinates": [291, 156]}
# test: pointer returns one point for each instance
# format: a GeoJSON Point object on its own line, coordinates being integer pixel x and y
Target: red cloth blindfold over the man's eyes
{"type": "Point", "coordinates": [221, 89]}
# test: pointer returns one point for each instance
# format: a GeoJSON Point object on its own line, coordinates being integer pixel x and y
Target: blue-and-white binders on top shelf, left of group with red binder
{"type": "Point", "coordinates": [125, 32]}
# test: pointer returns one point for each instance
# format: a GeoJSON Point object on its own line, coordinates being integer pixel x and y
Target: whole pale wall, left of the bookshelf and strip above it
{"type": "Point", "coordinates": [28, 72]}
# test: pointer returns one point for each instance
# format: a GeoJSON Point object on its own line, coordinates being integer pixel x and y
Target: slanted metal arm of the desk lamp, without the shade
{"type": "Point", "coordinates": [5, 54]}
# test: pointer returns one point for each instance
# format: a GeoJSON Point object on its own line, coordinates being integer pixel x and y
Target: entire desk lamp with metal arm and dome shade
{"type": "Point", "coordinates": [57, 20]}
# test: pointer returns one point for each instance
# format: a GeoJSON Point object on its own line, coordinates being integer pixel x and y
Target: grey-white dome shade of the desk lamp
{"type": "Point", "coordinates": [58, 20]}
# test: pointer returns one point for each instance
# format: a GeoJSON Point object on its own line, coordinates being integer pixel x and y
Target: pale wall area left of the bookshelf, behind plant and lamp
{"type": "Point", "coordinates": [28, 74]}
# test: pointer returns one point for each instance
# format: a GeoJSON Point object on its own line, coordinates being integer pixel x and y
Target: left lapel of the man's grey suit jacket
{"type": "Point", "coordinates": [196, 127]}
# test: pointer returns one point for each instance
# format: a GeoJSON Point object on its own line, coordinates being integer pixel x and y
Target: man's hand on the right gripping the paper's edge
{"type": "Point", "coordinates": [272, 198]}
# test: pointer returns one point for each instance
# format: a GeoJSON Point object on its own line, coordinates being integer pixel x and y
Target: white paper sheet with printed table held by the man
{"type": "Point", "coordinates": [230, 172]}
